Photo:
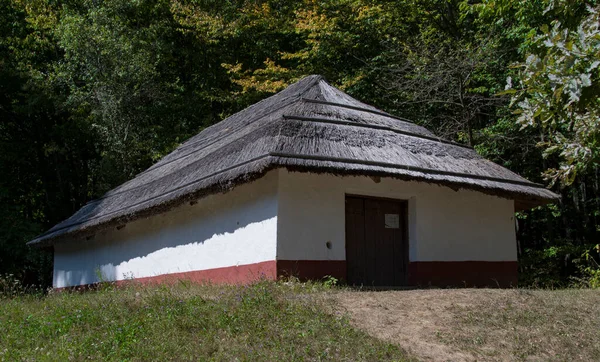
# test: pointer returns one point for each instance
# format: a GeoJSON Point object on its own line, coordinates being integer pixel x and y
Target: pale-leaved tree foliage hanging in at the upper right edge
{"type": "Point", "coordinates": [559, 91]}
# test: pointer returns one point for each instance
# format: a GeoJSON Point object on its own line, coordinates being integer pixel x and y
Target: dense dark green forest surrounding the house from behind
{"type": "Point", "coordinates": [93, 92]}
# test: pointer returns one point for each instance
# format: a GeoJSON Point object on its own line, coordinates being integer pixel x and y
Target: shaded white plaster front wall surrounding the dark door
{"type": "Point", "coordinates": [444, 225]}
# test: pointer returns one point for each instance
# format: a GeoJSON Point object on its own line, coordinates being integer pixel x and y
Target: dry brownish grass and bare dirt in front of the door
{"type": "Point", "coordinates": [482, 324]}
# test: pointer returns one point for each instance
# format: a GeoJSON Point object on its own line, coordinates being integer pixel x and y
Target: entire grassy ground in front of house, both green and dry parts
{"type": "Point", "coordinates": [301, 321]}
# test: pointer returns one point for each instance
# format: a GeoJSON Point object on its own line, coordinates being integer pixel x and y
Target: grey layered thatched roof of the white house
{"type": "Point", "coordinates": [311, 127]}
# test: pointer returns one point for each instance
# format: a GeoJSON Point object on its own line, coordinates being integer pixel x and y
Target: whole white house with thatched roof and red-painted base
{"type": "Point", "coordinates": [309, 182]}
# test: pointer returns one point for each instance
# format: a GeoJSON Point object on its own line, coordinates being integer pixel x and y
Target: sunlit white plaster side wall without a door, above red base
{"type": "Point", "coordinates": [235, 228]}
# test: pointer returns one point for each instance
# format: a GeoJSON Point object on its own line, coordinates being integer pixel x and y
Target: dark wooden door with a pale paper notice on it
{"type": "Point", "coordinates": [376, 241]}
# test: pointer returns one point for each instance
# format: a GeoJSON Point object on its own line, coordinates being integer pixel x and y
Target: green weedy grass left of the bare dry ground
{"type": "Point", "coordinates": [263, 321]}
